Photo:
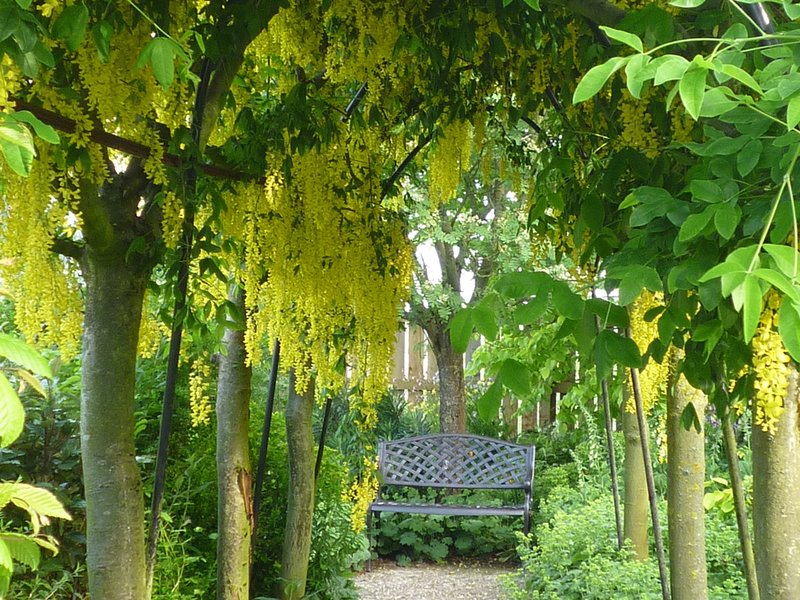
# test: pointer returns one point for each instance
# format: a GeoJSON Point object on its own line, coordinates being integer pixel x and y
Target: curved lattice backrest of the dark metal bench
{"type": "Point", "coordinates": [455, 461]}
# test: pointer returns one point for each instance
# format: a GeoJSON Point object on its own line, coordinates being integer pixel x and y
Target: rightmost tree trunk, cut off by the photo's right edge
{"type": "Point", "coordinates": [776, 501]}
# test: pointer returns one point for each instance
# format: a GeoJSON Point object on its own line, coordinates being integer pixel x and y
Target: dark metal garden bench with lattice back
{"type": "Point", "coordinates": [457, 462]}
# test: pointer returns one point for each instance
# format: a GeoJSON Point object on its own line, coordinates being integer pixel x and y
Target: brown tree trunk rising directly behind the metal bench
{"type": "Point", "coordinates": [452, 399]}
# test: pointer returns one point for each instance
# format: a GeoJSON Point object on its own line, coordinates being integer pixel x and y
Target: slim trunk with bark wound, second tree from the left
{"type": "Point", "coordinates": [233, 467]}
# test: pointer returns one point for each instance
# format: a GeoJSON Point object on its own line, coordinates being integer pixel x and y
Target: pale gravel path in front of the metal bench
{"type": "Point", "coordinates": [453, 581]}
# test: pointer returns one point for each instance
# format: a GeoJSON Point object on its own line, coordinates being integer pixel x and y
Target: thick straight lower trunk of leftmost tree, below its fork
{"type": "Point", "coordinates": [114, 502]}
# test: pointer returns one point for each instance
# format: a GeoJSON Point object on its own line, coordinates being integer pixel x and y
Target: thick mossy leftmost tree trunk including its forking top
{"type": "Point", "coordinates": [115, 285]}
